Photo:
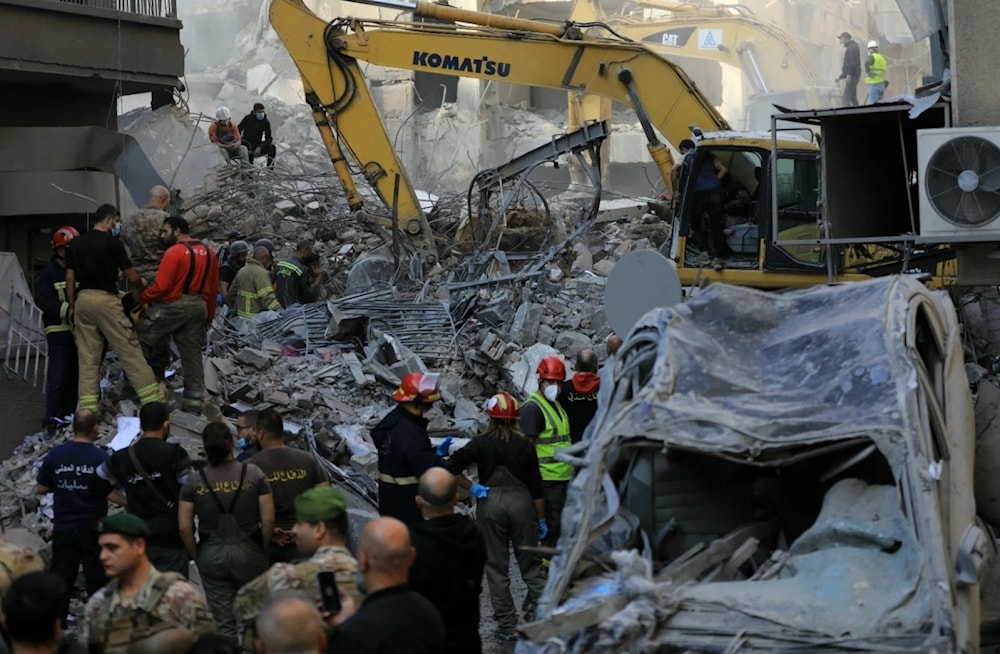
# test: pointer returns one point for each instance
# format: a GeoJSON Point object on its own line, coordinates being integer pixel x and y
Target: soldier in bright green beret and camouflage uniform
{"type": "Point", "coordinates": [320, 534]}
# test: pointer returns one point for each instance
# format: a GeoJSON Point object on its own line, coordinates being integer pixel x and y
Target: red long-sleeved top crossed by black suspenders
{"type": "Point", "coordinates": [172, 276]}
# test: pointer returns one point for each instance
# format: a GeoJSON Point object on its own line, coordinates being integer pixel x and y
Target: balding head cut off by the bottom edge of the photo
{"type": "Point", "coordinates": [289, 622]}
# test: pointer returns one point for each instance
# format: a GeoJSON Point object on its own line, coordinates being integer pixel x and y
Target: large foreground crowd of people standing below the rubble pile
{"type": "Point", "coordinates": [268, 534]}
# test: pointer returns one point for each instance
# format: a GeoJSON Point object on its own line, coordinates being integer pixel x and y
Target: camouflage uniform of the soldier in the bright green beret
{"type": "Point", "coordinates": [296, 576]}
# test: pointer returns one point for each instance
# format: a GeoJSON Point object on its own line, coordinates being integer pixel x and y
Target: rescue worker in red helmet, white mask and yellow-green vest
{"type": "Point", "coordinates": [544, 421]}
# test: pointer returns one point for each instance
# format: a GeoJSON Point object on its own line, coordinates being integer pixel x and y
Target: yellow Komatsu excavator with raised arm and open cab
{"type": "Point", "coordinates": [775, 177]}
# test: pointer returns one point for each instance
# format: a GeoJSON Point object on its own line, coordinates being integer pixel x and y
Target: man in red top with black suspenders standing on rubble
{"type": "Point", "coordinates": [181, 306]}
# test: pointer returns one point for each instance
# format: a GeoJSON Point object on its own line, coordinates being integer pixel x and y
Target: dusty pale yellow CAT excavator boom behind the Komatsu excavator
{"type": "Point", "coordinates": [776, 67]}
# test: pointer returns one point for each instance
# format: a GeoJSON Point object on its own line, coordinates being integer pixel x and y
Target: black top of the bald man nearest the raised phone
{"type": "Point", "coordinates": [392, 621]}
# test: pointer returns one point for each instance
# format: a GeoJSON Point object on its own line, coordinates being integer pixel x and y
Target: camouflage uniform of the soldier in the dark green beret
{"type": "Point", "coordinates": [111, 622]}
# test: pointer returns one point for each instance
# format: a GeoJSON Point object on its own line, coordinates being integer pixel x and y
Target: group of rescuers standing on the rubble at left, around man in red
{"type": "Point", "coordinates": [174, 283]}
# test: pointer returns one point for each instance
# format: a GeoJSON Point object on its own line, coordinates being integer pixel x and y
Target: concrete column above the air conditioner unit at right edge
{"type": "Point", "coordinates": [974, 54]}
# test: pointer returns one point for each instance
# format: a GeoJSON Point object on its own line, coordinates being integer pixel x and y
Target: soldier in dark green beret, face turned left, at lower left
{"type": "Point", "coordinates": [141, 609]}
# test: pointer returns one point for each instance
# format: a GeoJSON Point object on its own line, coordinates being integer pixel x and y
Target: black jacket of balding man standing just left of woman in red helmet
{"type": "Point", "coordinates": [448, 571]}
